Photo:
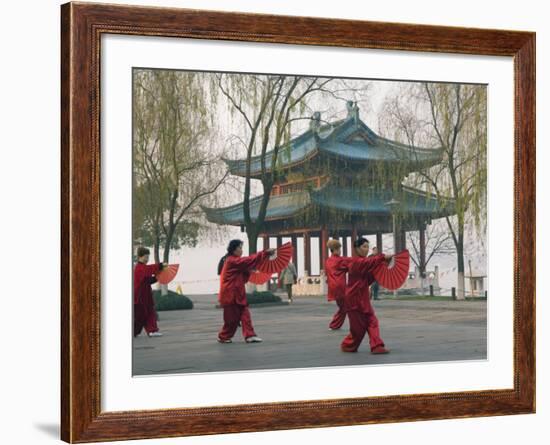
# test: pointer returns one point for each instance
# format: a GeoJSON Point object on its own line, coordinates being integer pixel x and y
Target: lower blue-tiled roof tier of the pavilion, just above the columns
{"type": "Point", "coordinates": [333, 198]}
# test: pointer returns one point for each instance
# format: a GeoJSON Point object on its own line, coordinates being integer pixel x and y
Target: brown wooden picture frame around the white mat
{"type": "Point", "coordinates": [82, 25]}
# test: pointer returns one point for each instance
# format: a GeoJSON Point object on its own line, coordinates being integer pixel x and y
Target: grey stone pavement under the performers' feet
{"type": "Point", "coordinates": [297, 336]}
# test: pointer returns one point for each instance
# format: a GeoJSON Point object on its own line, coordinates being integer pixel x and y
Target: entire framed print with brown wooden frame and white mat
{"type": "Point", "coordinates": [275, 222]}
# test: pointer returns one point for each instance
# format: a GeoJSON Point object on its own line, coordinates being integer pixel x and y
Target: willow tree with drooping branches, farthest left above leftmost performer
{"type": "Point", "coordinates": [175, 169]}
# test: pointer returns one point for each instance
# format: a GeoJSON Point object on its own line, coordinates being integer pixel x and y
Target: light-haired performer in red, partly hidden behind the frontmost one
{"type": "Point", "coordinates": [336, 268]}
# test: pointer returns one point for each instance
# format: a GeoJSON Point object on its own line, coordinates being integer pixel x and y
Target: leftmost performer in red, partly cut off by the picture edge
{"type": "Point", "coordinates": [145, 315]}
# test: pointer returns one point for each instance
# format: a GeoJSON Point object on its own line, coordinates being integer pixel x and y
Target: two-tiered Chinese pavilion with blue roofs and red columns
{"type": "Point", "coordinates": [341, 180]}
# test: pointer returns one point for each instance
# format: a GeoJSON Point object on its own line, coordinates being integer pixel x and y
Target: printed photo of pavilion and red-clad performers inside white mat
{"type": "Point", "coordinates": [284, 221]}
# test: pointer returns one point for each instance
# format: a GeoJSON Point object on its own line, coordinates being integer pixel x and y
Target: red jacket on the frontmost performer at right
{"type": "Point", "coordinates": [359, 278]}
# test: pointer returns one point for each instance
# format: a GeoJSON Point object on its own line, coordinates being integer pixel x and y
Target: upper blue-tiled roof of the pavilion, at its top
{"type": "Point", "coordinates": [348, 139]}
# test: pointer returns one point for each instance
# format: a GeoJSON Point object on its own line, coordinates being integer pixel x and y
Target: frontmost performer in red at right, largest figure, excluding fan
{"type": "Point", "coordinates": [357, 305]}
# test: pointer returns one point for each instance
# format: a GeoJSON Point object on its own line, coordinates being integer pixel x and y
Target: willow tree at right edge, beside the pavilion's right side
{"type": "Point", "coordinates": [453, 118]}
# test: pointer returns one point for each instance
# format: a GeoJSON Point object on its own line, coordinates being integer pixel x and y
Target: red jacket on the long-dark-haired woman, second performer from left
{"type": "Point", "coordinates": [235, 273]}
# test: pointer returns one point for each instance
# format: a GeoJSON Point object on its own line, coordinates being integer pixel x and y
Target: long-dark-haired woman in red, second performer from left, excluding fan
{"type": "Point", "coordinates": [234, 270]}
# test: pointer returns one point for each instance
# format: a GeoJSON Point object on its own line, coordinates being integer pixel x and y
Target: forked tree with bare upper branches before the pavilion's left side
{"type": "Point", "coordinates": [267, 105]}
